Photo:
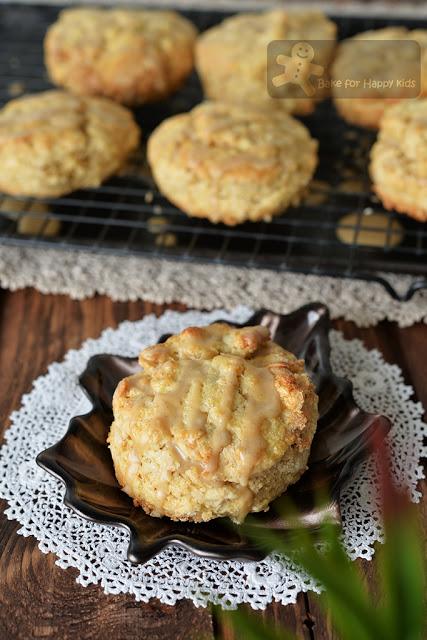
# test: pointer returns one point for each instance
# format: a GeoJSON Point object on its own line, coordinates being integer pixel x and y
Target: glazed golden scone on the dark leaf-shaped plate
{"type": "Point", "coordinates": [219, 423]}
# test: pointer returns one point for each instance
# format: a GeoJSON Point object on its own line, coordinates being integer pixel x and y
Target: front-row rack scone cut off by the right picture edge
{"type": "Point", "coordinates": [399, 159]}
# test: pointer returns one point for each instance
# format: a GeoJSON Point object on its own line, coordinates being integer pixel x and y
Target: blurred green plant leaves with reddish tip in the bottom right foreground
{"type": "Point", "coordinates": [398, 613]}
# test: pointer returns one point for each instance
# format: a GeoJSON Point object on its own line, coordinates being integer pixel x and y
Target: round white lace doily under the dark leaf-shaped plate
{"type": "Point", "coordinates": [99, 552]}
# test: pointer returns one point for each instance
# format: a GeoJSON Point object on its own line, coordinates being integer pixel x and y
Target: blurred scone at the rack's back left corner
{"type": "Point", "coordinates": [131, 56]}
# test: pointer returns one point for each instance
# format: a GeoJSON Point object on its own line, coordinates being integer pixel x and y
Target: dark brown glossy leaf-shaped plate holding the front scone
{"type": "Point", "coordinates": [83, 462]}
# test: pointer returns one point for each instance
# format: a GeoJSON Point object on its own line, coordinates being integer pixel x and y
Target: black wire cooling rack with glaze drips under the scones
{"type": "Point", "coordinates": [340, 229]}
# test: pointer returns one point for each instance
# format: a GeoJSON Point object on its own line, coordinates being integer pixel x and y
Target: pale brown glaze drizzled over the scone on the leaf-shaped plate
{"type": "Point", "coordinates": [223, 401]}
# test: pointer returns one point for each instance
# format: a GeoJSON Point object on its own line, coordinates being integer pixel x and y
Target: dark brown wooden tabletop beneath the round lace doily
{"type": "Point", "coordinates": [40, 600]}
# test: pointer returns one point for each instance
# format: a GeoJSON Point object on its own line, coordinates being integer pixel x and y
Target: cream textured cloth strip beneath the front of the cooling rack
{"type": "Point", "coordinates": [205, 287]}
